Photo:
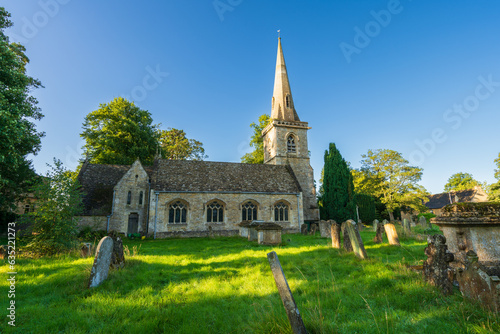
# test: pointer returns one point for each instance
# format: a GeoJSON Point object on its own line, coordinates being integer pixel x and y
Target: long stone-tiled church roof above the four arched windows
{"type": "Point", "coordinates": [208, 176]}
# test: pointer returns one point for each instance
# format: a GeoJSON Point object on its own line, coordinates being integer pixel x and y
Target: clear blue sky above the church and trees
{"type": "Point", "coordinates": [419, 77]}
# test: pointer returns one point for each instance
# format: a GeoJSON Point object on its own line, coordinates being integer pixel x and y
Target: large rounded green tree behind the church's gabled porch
{"type": "Point", "coordinates": [119, 132]}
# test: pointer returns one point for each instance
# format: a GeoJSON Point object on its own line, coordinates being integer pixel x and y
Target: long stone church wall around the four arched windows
{"type": "Point", "coordinates": [197, 205]}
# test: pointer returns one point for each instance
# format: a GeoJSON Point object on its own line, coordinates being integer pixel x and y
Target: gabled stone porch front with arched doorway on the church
{"type": "Point", "coordinates": [134, 181]}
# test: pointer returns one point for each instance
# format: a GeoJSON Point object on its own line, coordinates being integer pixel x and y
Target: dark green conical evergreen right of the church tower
{"type": "Point", "coordinates": [337, 190]}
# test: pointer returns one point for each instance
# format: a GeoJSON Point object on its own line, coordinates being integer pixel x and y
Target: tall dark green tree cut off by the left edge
{"type": "Point", "coordinates": [18, 109]}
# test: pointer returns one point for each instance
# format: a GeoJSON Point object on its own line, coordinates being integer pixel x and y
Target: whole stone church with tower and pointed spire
{"type": "Point", "coordinates": [194, 198]}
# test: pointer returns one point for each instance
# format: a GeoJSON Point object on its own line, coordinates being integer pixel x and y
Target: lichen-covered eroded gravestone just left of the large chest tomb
{"type": "Point", "coordinates": [436, 268]}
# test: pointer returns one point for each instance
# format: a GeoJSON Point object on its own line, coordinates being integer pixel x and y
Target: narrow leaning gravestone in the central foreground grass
{"type": "Point", "coordinates": [292, 311]}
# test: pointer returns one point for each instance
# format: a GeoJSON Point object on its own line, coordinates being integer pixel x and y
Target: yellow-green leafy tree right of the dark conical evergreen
{"type": "Point", "coordinates": [394, 181]}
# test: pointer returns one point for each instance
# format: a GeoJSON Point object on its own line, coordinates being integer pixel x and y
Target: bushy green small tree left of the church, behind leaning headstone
{"type": "Point", "coordinates": [53, 228]}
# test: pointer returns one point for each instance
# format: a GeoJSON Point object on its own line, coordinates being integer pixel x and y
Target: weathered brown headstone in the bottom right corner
{"type": "Point", "coordinates": [476, 284]}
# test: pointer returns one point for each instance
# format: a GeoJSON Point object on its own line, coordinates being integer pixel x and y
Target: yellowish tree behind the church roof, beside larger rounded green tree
{"type": "Point", "coordinates": [175, 145]}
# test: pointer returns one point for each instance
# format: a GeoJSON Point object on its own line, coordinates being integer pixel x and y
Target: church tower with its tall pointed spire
{"type": "Point", "coordinates": [285, 138]}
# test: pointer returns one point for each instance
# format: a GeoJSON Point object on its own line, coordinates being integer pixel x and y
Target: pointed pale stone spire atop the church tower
{"type": "Point", "coordinates": [283, 108]}
